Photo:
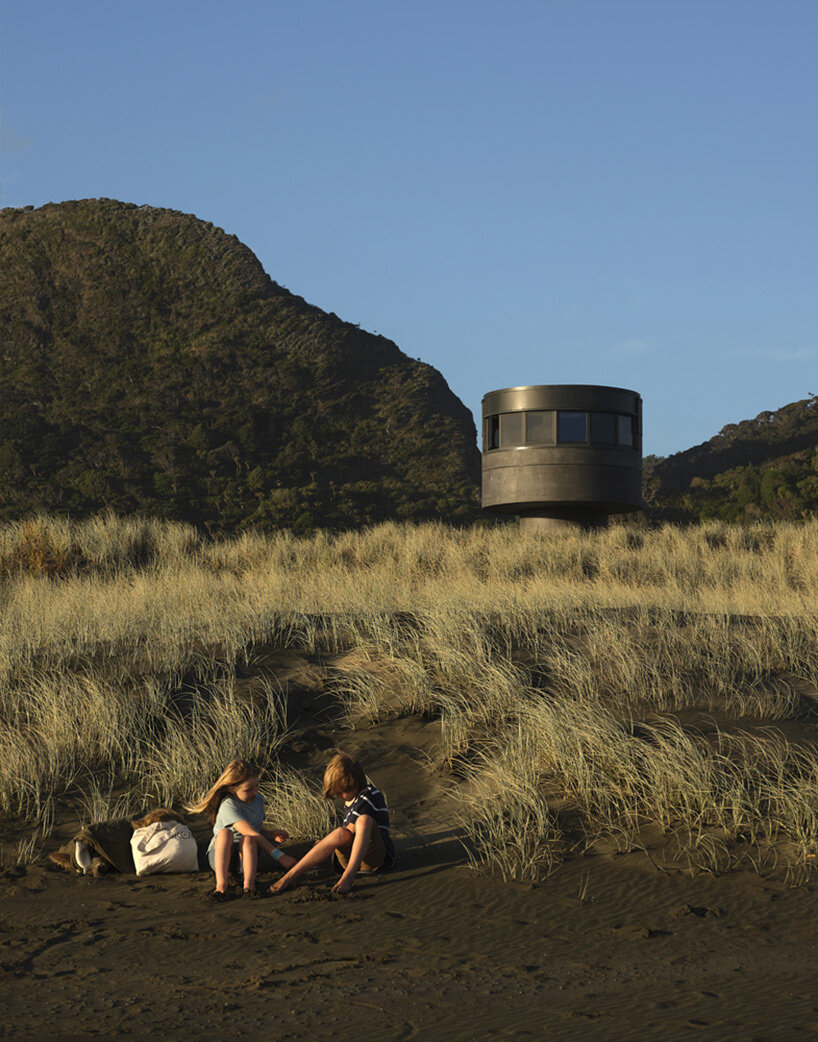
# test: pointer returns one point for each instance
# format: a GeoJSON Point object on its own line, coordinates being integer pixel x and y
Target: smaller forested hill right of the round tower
{"type": "Point", "coordinates": [761, 468]}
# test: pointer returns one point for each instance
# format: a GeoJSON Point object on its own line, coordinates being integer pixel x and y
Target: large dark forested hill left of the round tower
{"type": "Point", "coordinates": [148, 364]}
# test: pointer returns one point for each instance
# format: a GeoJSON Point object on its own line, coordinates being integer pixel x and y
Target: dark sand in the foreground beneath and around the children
{"type": "Point", "coordinates": [609, 948]}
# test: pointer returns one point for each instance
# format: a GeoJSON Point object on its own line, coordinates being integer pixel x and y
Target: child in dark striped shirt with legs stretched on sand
{"type": "Point", "coordinates": [363, 841]}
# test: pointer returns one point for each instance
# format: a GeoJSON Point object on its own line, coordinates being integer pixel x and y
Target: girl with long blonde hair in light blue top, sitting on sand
{"type": "Point", "coordinates": [239, 842]}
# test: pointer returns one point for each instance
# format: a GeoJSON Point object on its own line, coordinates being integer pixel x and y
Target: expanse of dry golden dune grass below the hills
{"type": "Point", "coordinates": [555, 665]}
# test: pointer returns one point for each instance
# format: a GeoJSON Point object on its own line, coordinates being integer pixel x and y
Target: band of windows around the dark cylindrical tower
{"type": "Point", "coordinates": [559, 428]}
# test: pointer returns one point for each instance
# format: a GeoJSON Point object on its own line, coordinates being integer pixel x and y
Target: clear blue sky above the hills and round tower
{"type": "Point", "coordinates": [515, 191]}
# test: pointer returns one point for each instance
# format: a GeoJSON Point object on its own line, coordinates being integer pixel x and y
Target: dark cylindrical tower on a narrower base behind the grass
{"type": "Point", "coordinates": [562, 455]}
